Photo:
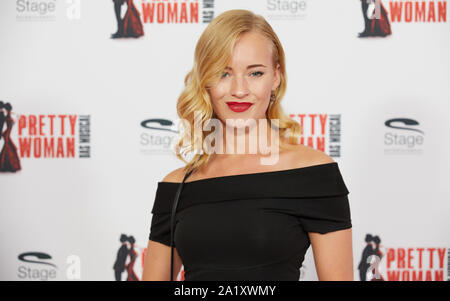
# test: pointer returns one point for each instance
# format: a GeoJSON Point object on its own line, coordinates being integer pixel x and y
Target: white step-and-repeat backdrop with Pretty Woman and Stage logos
{"type": "Point", "coordinates": [88, 120]}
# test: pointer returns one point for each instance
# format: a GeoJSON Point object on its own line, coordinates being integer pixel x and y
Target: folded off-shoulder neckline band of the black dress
{"type": "Point", "coordinates": [309, 182]}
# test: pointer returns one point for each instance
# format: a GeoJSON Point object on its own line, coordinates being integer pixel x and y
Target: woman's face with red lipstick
{"type": "Point", "coordinates": [250, 77]}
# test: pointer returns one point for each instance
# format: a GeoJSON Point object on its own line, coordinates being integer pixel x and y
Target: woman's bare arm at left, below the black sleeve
{"type": "Point", "coordinates": [157, 262]}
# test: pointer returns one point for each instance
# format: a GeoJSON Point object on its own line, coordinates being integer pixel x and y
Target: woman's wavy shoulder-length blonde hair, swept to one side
{"type": "Point", "coordinates": [212, 53]}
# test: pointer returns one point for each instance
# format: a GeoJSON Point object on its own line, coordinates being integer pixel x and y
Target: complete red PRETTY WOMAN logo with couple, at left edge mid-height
{"type": "Point", "coordinates": [41, 136]}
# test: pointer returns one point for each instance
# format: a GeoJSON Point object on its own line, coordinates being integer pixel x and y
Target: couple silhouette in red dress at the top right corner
{"type": "Point", "coordinates": [377, 23]}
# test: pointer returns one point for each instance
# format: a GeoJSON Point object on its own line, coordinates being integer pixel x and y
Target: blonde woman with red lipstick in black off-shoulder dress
{"type": "Point", "coordinates": [239, 219]}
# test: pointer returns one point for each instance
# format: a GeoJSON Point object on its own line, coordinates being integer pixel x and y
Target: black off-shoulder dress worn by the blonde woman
{"type": "Point", "coordinates": [251, 226]}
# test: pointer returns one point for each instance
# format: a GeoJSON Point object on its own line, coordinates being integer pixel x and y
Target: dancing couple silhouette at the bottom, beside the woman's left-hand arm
{"type": "Point", "coordinates": [122, 254]}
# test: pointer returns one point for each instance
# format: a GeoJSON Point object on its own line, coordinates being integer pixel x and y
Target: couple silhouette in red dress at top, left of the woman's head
{"type": "Point", "coordinates": [130, 25]}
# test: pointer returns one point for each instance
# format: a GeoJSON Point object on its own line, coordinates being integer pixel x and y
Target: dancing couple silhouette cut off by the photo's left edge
{"type": "Point", "coordinates": [9, 159]}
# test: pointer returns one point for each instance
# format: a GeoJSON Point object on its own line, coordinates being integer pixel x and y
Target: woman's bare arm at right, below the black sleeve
{"type": "Point", "coordinates": [333, 255]}
